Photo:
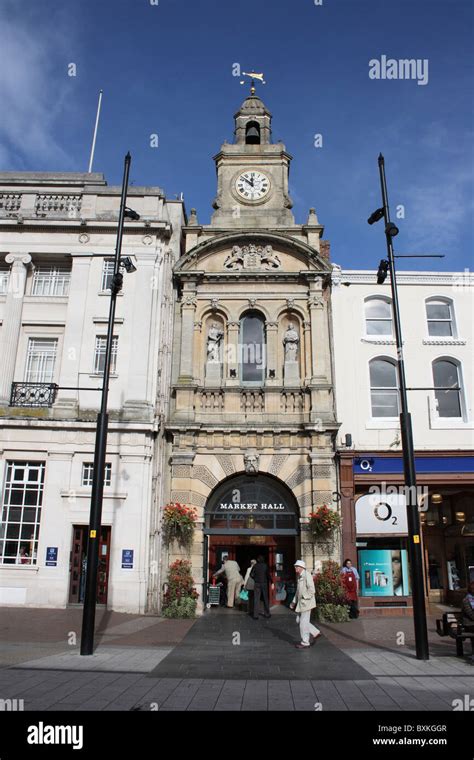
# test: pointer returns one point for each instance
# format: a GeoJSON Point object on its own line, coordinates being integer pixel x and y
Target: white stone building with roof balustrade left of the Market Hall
{"type": "Point", "coordinates": [57, 241]}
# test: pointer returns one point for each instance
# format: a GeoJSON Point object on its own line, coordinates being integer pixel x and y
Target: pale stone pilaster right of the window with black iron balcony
{"type": "Point", "coordinates": [67, 400]}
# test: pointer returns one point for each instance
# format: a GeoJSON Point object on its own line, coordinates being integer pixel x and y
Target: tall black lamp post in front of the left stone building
{"type": "Point", "coordinates": [90, 596]}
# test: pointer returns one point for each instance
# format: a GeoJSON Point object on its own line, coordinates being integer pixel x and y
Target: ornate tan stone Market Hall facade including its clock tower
{"type": "Point", "coordinates": [252, 421]}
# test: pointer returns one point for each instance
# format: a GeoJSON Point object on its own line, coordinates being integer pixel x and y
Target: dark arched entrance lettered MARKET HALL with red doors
{"type": "Point", "coordinates": [248, 515]}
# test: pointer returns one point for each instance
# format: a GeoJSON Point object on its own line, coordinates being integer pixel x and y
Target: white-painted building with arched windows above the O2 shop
{"type": "Point", "coordinates": [437, 318]}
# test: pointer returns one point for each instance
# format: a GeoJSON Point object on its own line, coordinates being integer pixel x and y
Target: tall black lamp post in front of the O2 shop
{"type": "Point", "coordinates": [413, 517]}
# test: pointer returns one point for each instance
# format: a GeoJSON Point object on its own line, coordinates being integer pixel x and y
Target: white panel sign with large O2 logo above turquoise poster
{"type": "Point", "coordinates": [381, 514]}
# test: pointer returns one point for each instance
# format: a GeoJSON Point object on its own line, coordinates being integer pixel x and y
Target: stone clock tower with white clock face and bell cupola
{"type": "Point", "coordinates": [252, 173]}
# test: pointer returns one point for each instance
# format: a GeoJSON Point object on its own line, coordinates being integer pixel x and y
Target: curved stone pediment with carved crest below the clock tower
{"type": "Point", "coordinates": [247, 253]}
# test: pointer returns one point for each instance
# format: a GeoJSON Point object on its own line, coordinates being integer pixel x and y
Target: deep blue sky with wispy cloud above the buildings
{"type": "Point", "coordinates": [167, 69]}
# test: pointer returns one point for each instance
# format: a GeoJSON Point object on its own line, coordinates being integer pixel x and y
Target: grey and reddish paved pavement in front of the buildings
{"type": "Point", "coordinates": [146, 663]}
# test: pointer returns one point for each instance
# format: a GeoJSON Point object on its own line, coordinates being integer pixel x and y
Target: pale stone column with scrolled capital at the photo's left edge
{"type": "Point", "coordinates": [10, 334]}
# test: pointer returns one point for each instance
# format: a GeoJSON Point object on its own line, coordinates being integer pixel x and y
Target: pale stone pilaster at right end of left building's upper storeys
{"type": "Point", "coordinates": [139, 402]}
